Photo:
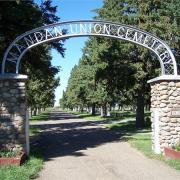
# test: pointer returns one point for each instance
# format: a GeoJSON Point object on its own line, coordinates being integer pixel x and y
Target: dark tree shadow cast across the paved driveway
{"type": "Point", "coordinates": [68, 138]}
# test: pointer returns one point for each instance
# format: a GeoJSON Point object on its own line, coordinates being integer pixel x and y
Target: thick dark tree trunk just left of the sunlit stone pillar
{"type": "Point", "coordinates": [140, 110]}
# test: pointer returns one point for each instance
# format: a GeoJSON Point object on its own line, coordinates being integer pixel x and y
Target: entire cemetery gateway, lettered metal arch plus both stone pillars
{"type": "Point", "coordinates": [165, 89]}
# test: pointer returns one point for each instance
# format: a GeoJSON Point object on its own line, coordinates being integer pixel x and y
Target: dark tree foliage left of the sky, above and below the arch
{"type": "Point", "coordinates": [17, 17]}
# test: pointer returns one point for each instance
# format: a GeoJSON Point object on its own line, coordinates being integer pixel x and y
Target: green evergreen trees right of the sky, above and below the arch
{"type": "Point", "coordinates": [116, 72]}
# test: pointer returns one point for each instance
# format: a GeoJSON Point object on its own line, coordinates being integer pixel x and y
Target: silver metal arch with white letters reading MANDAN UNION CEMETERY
{"type": "Point", "coordinates": [62, 30]}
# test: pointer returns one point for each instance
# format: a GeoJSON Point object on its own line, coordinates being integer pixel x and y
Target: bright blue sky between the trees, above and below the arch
{"type": "Point", "coordinates": [72, 10]}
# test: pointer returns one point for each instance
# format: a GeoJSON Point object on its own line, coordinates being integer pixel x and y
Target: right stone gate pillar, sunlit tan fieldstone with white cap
{"type": "Point", "coordinates": [165, 112]}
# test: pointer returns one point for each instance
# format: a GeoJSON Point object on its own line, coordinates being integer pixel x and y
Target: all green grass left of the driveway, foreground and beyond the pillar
{"type": "Point", "coordinates": [32, 166]}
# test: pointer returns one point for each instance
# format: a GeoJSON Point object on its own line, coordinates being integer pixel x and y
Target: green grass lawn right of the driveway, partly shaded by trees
{"type": "Point", "coordinates": [139, 139]}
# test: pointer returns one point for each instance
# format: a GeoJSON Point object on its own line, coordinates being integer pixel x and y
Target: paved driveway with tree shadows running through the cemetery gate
{"type": "Point", "coordinates": [78, 149]}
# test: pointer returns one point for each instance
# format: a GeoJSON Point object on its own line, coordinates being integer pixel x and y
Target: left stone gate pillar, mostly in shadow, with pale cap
{"type": "Point", "coordinates": [13, 108]}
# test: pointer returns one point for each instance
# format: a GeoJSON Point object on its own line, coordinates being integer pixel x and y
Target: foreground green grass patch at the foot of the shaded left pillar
{"type": "Point", "coordinates": [29, 170]}
